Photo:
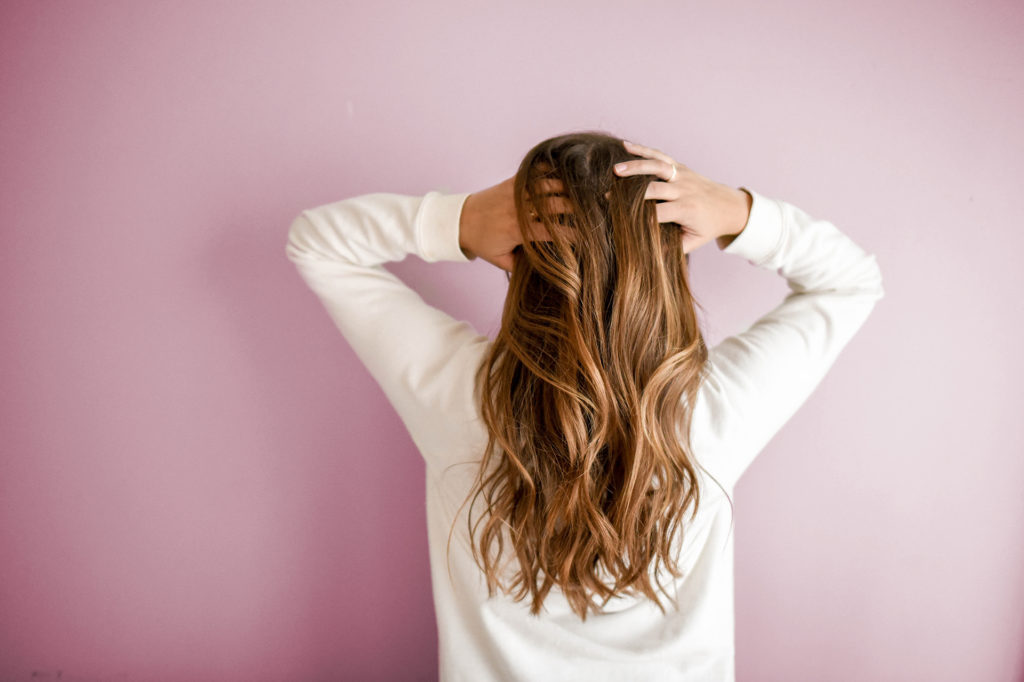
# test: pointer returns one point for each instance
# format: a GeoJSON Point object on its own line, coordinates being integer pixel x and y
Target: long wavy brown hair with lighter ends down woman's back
{"type": "Point", "coordinates": [588, 389]}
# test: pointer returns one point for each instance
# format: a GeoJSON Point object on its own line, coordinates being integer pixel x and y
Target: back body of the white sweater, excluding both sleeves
{"type": "Point", "coordinates": [498, 638]}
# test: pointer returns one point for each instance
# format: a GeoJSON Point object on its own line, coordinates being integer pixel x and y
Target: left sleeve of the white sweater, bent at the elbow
{"type": "Point", "coordinates": [421, 357]}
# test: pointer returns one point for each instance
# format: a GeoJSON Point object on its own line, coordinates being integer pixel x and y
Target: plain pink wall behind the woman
{"type": "Point", "coordinates": [200, 482]}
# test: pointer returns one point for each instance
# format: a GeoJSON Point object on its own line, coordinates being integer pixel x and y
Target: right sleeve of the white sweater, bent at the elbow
{"type": "Point", "coordinates": [756, 380]}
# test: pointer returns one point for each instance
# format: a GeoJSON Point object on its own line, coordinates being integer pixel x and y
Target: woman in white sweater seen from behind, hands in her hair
{"type": "Point", "coordinates": [580, 466]}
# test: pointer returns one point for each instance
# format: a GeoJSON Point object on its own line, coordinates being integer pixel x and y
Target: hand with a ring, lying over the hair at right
{"type": "Point", "coordinates": [707, 210]}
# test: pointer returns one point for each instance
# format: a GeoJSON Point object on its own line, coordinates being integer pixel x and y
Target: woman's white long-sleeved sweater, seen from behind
{"type": "Point", "coordinates": [424, 361]}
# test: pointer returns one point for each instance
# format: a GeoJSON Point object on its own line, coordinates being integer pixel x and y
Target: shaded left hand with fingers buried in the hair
{"type": "Point", "coordinates": [489, 227]}
